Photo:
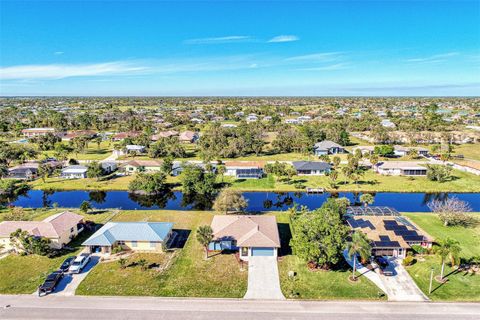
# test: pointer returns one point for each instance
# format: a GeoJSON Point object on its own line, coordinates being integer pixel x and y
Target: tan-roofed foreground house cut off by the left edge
{"type": "Point", "coordinates": [60, 229]}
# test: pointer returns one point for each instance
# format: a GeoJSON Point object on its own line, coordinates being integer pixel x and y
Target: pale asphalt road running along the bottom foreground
{"type": "Point", "coordinates": [57, 307]}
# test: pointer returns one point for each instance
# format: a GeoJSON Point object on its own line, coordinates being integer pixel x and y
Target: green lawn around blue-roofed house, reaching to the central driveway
{"type": "Point", "coordinates": [188, 275]}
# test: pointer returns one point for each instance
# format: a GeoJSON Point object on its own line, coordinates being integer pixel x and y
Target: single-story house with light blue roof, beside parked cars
{"type": "Point", "coordinates": [135, 236]}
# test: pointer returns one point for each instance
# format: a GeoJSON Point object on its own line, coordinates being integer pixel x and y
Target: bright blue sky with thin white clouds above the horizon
{"type": "Point", "coordinates": [320, 48]}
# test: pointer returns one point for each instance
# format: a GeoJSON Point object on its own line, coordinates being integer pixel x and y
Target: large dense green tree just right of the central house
{"type": "Point", "coordinates": [319, 235]}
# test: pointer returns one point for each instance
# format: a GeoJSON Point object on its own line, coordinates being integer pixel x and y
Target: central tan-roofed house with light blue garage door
{"type": "Point", "coordinates": [251, 235]}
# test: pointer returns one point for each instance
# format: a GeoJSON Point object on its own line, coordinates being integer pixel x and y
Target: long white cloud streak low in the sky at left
{"type": "Point", "coordinates": [60, 71]}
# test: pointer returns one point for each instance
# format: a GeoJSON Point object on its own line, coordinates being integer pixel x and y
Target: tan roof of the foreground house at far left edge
{"type": "Point", "coordinates": [51, 227]}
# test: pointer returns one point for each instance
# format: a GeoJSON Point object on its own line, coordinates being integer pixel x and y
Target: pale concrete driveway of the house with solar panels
{"type": "Point", "coordinates": [400, 286]}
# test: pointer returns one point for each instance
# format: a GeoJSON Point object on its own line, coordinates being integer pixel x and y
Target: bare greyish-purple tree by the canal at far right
{"type": "Point", "coordinates": [453, 212]}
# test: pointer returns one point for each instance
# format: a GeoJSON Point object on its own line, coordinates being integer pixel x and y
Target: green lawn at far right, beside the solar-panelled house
{"type": "Point", "coordinates": [461, 285]}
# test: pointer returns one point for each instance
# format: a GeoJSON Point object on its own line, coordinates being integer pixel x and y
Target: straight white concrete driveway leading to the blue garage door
{"type": "Point", "coordinates": [263, 280]}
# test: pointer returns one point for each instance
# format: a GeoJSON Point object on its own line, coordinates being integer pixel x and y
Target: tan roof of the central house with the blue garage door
{"type": "Point", "coordinates": [249, 231]}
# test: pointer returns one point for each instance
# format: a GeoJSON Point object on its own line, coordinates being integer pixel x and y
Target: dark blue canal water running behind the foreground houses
{"type": "Point", "coordinates": [257, 201]}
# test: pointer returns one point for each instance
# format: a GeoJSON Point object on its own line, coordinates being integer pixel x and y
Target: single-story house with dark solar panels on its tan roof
{"type": "Point", "coordinates": [390, 235]}
